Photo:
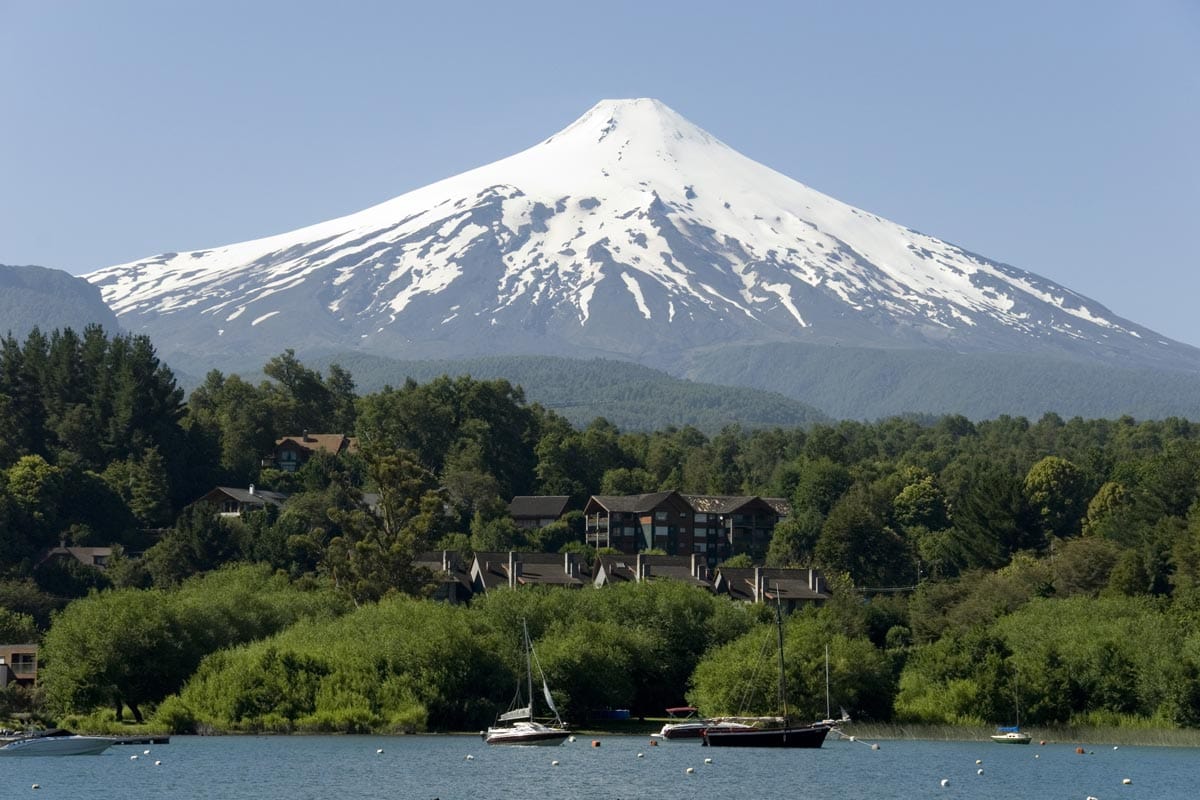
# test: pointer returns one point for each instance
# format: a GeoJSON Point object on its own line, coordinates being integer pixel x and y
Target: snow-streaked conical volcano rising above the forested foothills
{"type": "Point", "coordinates": [631, 233]}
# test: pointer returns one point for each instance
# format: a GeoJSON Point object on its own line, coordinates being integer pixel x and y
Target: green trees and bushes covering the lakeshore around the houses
{"type": "Point", "coordinates": [975, 566]}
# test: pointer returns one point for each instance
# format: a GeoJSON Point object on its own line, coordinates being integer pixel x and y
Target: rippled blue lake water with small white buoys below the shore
{"type": "Point", "coordinates": [627, 768]}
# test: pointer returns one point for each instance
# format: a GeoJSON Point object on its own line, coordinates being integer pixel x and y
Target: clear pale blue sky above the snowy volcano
{"type": "Point", "coordinates": [1060, 137]}
